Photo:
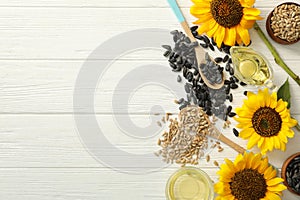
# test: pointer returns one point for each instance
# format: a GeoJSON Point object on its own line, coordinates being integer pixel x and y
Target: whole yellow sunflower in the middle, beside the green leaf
{"type": "Point", "coordinates": [265, 121]}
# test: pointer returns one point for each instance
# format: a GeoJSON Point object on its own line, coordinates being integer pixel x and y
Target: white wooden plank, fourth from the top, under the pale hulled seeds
{"type": "Point", "coordinates": [56, 141]}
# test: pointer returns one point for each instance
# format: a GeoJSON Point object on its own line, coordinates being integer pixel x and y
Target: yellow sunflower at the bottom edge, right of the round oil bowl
{"type": "Point", "coordinates": [249, 177]}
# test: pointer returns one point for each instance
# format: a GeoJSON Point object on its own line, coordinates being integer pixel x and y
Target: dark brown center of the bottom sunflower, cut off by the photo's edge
{"type": "Point", "coordinates": [248, 184]}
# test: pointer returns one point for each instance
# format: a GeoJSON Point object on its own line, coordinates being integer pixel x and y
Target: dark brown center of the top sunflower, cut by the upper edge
{"type": "Point", "coordinates": [227, 13]}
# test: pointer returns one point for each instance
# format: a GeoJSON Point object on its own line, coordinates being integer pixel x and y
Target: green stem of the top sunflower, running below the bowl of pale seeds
{"type": "Point", "coordinates": [277, 58]}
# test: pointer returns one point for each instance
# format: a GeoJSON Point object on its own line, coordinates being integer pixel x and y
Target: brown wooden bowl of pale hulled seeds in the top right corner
{"type": "Point", "coordinates": [283, 23]}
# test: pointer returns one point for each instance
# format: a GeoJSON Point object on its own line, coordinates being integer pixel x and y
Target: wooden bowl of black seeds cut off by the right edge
{"type": "Point", "coordinates": [290, 172]}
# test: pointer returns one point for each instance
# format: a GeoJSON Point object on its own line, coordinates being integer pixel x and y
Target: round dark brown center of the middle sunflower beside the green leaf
{"type": "Point", "coordinates": [266, 122]}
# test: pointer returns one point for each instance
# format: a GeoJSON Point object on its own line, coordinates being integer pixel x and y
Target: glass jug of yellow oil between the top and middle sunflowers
{"type": "Point", "coordinates": [251, 67]}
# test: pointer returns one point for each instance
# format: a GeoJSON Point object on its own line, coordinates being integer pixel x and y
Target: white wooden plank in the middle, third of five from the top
{"type": "Point", "coordinates": [48, 87]}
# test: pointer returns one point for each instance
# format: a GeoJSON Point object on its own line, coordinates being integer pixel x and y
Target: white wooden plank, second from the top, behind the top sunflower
{"type": "Point", "coordinates": [58, 33]}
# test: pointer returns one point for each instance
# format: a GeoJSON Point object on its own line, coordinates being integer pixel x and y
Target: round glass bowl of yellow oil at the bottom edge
{"type": "Point", "coordinates": [189, 183]}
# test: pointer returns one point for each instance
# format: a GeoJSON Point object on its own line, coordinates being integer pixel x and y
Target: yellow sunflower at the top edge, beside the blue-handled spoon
{"type": "Point", "coordinates": [226, 21]}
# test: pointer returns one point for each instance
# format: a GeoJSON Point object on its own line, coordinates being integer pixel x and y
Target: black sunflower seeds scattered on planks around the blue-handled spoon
{"type": "Point", "coordinates": [182, 60]}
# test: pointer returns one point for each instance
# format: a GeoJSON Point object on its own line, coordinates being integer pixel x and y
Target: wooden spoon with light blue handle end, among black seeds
{"type": "Point", "coordinates": [200, 53]}
